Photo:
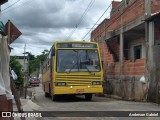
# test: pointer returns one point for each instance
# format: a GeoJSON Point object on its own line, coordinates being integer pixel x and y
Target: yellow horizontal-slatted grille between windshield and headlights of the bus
{"type": "Point", "coordinates": [77, 80]}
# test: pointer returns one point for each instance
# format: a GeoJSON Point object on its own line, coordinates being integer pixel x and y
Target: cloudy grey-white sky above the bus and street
{"type": "Point", "coordinates": [44, 21]}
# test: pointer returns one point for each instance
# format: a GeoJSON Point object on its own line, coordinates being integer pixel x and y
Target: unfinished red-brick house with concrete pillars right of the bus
{"type": "Point", "coordinates": [129, 42]}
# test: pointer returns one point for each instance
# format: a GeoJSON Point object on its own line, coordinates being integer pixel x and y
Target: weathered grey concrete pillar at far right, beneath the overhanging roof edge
{"type": "Point", "coordinates": [150, 62]}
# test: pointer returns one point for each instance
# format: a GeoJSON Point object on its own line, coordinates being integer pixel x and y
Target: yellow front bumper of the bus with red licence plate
{"type": "Point", "coordinates": [77, 89]}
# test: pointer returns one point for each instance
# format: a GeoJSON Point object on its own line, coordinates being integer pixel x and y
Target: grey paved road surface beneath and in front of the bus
{"type": "Point", "coordinates": [97, 104]}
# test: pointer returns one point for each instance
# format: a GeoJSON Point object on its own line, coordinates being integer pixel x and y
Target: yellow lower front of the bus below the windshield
{"type": "Point", "coordinates": [77, 81]}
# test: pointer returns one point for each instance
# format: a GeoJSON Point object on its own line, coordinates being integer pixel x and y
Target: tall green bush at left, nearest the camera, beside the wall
{"type": "Point", "coordinates": [17, 67]}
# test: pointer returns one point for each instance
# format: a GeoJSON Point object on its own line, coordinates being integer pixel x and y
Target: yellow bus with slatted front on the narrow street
{"type": "Point", "coordinates": [73, 68]}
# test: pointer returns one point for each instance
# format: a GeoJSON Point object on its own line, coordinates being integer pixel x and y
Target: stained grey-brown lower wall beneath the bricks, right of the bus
{"type": "Point", "coordinates": [128, 88]}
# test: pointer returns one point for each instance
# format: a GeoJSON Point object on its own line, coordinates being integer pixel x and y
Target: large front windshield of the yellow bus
{"type": "Point", "coordinates": [78, 61]}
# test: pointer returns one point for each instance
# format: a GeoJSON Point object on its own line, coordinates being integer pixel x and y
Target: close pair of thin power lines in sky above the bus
{"type": "Point", "coordinates": [82, 18]}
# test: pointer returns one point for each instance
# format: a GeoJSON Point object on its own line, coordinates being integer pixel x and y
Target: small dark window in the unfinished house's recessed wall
{"type": "Point", "coordinates": [137, 52]}
